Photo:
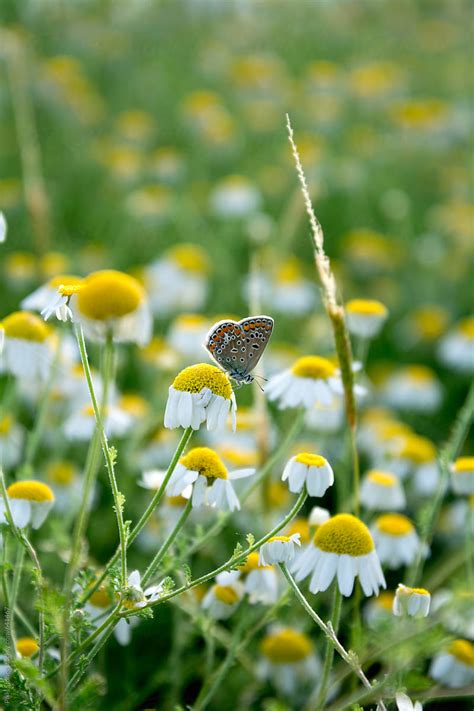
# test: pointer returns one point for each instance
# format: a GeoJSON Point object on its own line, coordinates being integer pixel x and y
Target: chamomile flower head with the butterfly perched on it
{"type": "Point", "coordinates": [200, 393]}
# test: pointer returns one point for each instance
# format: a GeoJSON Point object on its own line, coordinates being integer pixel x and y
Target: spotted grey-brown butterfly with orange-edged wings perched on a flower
{"type": "Point", "coordinates": [237, 346]}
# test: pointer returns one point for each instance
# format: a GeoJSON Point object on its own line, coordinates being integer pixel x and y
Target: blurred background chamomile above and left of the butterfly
{"type": "Point", "coordinates": [177, 282]}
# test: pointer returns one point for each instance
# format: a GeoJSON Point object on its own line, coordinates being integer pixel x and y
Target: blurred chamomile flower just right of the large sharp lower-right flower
{"type": "Point", "coordinates": [396, 540]}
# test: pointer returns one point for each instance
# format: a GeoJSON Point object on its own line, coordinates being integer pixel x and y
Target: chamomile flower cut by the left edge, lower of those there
{"type": "Point", "coordinates": [30, 503]}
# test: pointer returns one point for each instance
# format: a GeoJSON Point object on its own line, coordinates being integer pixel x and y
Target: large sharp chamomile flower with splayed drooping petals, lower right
{"type": "Point", "coordinates": [341, 547]}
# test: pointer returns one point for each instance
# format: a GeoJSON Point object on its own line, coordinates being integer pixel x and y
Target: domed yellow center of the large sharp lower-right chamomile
{"type": "Point", "coordinates": [345, 535]}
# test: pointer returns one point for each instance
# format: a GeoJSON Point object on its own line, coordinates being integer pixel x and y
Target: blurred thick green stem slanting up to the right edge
{"type": "Point", "coordinates": [446, 456]}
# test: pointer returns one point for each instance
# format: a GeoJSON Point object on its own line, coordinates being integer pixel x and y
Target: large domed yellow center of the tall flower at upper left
{"type": "Point", "coordinates": [109, 294]}
